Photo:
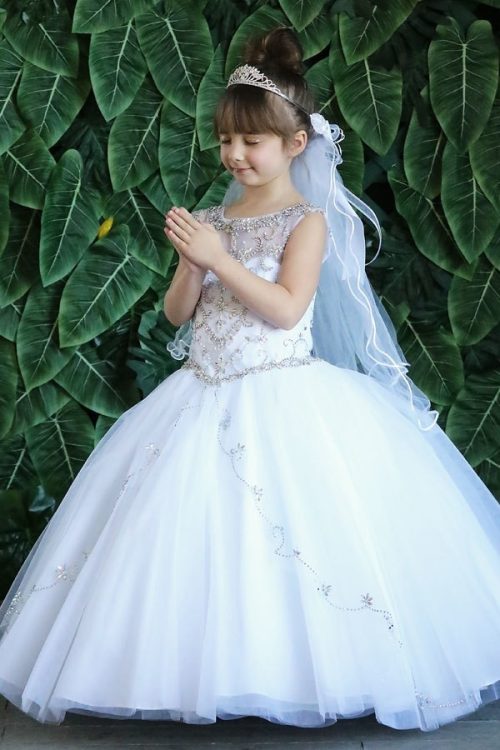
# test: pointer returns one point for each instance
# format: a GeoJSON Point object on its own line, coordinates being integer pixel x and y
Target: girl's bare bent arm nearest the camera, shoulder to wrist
{"type": "Point", "coordinates": [281, 303]}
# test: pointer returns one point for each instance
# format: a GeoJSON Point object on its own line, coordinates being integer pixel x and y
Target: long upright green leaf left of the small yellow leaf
{"type": "Point", "coordinates": [70, 218]}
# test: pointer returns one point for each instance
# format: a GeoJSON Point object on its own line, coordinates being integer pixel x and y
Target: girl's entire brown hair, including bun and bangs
{"type": "Point", "coordinates": [249, 109]}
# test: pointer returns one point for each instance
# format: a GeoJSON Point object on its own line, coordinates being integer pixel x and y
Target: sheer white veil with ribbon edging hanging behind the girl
{"type": "Point", "coordinates": [351, 328]}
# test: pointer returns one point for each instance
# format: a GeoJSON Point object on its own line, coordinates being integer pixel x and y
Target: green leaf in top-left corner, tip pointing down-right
{"type": "Point", "coordinates": [48, 44]}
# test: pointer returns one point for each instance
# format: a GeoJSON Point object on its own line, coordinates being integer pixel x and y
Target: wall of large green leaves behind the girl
{"type": "Point", "coordinates": [105, 123]}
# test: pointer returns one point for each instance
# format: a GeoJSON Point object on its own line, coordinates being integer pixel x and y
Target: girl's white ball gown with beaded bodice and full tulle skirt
{"type": "Point", "coordinates": [265, 534]}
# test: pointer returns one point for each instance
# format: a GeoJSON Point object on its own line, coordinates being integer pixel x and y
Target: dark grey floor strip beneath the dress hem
{"type": "Point", "coordinates": [478, 731]}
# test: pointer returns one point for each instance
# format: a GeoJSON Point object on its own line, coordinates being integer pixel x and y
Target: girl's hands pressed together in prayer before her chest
{"type": "Point", "coordinates": [198, 243]}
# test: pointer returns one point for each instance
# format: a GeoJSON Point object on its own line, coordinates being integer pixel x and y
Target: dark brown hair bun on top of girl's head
{"type": "Point", "coordinates": [279, 48]}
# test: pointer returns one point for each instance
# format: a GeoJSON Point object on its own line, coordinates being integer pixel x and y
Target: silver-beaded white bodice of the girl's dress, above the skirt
{"type": "Point", "coordinates": [228, 339]}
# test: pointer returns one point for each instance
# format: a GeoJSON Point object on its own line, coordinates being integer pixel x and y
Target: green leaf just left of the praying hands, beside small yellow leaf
{"type": "Point", "coordinates": [146, 224]}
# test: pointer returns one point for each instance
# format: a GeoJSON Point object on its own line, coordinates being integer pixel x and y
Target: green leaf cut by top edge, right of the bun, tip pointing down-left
{"type": "Point", "coordinates": [363, 35]}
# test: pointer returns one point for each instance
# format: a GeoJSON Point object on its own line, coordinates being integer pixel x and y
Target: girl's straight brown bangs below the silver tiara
{"type": "Point", "coordinates": [247, 109]}
